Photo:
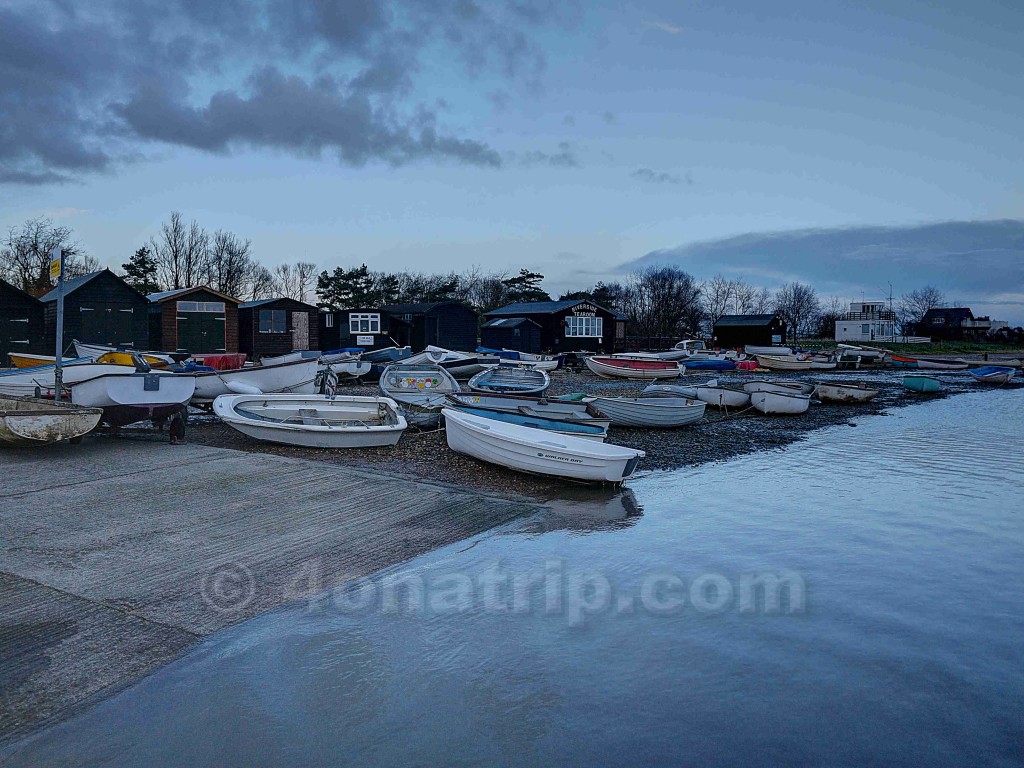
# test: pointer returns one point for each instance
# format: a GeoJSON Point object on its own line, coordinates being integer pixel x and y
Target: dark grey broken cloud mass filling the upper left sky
{"type": "Point", "coordinates": [87, 88]}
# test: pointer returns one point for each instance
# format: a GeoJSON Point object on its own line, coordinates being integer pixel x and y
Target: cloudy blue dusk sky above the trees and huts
{"type": "Point", "coordinates": [577, 140]}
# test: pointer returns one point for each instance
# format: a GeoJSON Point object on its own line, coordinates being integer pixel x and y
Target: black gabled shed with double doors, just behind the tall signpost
{"type": "Point", "coordinates": [100, 309]}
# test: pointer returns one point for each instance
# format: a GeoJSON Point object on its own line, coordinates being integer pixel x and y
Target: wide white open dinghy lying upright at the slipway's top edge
{"type": "Point", "coordinates": [314, 421]}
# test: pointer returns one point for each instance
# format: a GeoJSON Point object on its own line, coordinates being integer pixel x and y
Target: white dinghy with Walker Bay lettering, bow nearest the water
{"type": "Point", "coordinates": [538, 452]}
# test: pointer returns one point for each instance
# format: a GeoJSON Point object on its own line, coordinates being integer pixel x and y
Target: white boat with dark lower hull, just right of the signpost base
{"type": "Point", "coordinates": [137, 397]}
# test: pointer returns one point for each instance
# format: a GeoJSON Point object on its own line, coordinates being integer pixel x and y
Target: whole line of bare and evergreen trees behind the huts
{"type": "Point", "coordinates": [660, 302]}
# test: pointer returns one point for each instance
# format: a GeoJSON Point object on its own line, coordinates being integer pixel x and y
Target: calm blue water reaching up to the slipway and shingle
{"type": "Point", "coordinates": [906, 646]}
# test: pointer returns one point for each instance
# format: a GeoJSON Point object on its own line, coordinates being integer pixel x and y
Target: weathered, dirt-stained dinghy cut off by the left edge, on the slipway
{"type": "Point", "coordinates": [33, 421]}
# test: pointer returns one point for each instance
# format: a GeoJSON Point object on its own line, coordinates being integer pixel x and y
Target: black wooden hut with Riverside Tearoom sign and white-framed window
{"type": "Point", "coordinates": [572, 325]}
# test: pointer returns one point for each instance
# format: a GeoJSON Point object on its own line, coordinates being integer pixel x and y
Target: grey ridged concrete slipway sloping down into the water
{"type": "Point", "coordinates": [118, 554]}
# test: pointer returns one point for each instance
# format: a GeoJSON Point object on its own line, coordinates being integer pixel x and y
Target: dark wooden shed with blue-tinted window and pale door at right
{"type": "Point", "coordinates": [279, 326]}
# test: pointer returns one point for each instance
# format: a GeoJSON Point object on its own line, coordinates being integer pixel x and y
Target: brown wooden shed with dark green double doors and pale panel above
{"type": "Point", "coordinates": [199, 321]}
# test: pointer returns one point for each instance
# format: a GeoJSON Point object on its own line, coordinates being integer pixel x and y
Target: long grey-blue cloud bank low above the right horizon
{"type": "Point", "coordinates": [969, 259]}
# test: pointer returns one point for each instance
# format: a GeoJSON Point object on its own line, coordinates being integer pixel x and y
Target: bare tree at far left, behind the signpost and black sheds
{"type": "Point", "coordinates": [25, 255]}
